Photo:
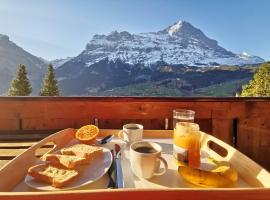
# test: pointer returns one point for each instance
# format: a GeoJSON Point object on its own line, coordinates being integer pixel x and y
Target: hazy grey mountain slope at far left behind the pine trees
{"type": "Point", "coordinates": [11, 56]}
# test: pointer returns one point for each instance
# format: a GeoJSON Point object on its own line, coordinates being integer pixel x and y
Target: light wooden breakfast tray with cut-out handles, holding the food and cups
{"type": "Point", "coordinates": [253, 183]}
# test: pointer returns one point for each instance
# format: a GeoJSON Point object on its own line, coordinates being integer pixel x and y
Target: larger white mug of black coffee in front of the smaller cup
{"type": "Point", "coordinates": [145, 159]}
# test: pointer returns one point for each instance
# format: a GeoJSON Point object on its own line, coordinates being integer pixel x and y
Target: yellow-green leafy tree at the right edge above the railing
{"type": "Point", "coordinates": [260, 85]}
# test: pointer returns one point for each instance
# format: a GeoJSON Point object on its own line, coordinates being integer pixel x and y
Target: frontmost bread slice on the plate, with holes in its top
{"type": "Point", "coordinates": [57, 177]}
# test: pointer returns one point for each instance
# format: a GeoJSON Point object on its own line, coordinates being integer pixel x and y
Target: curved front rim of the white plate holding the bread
{"type": "Point", "coordinates": [28, 177]}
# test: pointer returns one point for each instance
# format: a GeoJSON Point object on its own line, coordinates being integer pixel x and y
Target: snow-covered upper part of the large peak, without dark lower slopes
{"type": "Point", "coordinates": [180, 43]}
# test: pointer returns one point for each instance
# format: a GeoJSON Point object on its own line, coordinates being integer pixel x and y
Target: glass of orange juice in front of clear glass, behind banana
{"type": "Point", "coordinates": [186, 140]}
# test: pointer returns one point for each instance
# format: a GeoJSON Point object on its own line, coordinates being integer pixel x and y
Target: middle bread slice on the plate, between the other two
{"type": "Point", "coordinates": [64, 160]}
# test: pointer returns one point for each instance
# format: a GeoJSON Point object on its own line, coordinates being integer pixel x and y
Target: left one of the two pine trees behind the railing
{"type": "Point", "coordinates": [20, 85]}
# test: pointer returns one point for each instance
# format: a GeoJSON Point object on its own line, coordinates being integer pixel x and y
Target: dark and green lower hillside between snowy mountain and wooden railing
{"type": "Point", "coordinates": [215, 81]}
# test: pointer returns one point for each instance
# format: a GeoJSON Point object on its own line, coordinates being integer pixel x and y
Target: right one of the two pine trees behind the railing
{"type": "Point", "coordinates": [50, 85]}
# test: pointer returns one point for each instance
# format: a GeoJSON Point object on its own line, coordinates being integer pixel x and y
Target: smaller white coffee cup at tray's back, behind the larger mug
{"type": "Point", "coordinates": [131, 133]}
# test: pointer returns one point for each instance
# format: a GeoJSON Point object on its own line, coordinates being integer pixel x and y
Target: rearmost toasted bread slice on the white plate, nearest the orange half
{"type": "Point", "coordinates": [82, 150]}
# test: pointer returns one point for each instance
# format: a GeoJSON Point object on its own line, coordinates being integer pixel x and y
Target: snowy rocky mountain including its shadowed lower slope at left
{"type": "Point", "coordinates": [122, 58]}
